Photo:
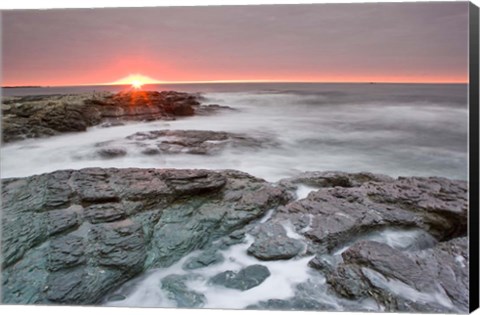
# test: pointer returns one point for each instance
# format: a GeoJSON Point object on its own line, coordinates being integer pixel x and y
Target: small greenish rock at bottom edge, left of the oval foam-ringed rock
{"type": "Point", "coordinates": [178, 291]}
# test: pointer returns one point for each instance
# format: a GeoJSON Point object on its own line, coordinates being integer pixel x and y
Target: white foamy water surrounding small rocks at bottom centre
{"type": "Point", "coordinates": [285, 275]}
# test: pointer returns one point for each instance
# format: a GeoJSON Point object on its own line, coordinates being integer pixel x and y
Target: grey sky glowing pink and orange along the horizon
{"type": "Point", "coordinates": [371, 42]}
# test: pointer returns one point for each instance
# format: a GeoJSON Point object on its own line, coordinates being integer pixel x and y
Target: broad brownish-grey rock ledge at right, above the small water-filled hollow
{"type": "Point", "coordinates": [340, 215]}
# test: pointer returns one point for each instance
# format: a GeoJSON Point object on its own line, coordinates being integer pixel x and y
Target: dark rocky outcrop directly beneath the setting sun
{"type": "Point", "coordinates": [47, 115]}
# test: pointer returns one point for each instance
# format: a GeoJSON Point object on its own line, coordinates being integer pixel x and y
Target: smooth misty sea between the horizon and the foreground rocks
{"type": "Point", "coordinates": [398, 130]}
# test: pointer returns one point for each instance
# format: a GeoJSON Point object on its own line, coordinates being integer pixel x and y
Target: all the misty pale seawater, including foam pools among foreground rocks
{"type": "Point", "coordinates": [393, 129]}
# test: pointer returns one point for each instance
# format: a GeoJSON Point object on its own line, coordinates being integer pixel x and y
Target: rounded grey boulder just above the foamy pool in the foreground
{"type": "Point", "coordinates": [271, 243]}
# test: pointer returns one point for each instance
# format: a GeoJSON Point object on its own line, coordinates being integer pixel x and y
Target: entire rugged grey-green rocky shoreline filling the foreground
{"type": "Point", "coordinates": [75, 236]}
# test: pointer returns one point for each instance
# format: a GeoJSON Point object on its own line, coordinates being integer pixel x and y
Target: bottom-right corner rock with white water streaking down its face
{"type": "Point", "coordinates": [413, 281]}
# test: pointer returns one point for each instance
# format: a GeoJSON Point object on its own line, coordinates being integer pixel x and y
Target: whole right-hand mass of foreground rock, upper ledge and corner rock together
{"type": "Point", "coordinates": [346, 213]}
